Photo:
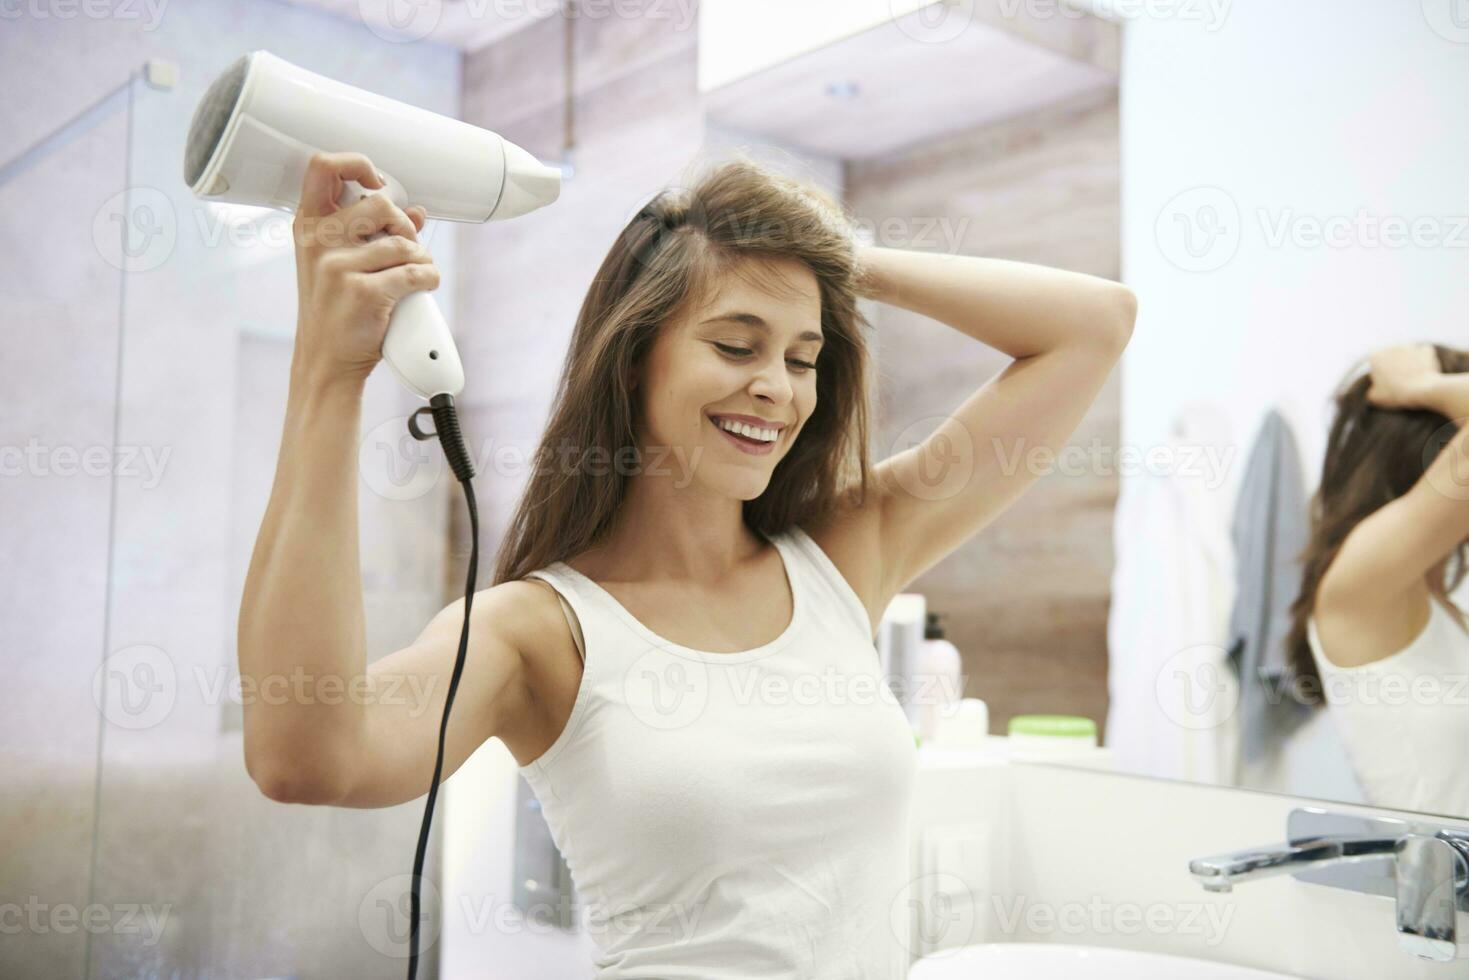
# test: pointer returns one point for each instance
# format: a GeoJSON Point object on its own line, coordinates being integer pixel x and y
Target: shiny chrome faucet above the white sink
{"type": "Point", "coordinates": [1426, 868]}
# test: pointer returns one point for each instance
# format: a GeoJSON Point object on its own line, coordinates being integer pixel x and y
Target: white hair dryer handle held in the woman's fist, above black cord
{"type": "Point", "coordinates": [418, 346]}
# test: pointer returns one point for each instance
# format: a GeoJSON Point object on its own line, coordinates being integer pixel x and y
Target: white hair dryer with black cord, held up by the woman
{"type": "Point", "coordinates": [259, 124]}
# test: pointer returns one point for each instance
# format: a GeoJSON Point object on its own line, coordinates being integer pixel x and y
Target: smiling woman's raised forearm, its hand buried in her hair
{"type": "Point", "coordinates": [1017, 308]}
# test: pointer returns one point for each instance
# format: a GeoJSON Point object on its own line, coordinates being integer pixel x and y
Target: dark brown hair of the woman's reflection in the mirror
{"type": "Point", "coordinates": [1374, 456]}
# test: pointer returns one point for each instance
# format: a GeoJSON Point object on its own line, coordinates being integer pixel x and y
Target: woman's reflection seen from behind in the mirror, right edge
{"type": "Point", "coordinates": [1374, 628]}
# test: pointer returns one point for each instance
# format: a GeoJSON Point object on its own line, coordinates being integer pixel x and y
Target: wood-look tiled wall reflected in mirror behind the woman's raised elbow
{"type": "Point", "coordinates": [1026, 602]}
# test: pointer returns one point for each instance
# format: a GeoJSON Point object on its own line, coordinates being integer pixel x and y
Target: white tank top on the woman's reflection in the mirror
{"type": "Point", "coordinates": [1405, 719]}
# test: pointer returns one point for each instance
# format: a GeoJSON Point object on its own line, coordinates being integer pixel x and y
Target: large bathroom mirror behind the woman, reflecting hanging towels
{"type": "Point", "coordinates": [1282, 220]}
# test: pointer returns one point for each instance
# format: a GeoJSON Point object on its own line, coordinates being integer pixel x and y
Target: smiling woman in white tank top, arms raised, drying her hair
{"type": "Point", "coordinates": [678, 649]}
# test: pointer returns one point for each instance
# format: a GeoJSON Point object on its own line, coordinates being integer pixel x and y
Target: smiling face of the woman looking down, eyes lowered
{"type": "Point", "coordinates": [710, 365]}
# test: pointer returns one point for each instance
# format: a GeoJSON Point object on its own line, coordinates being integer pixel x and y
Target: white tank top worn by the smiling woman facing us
{"type": "Point", "coordinates": [735, 816]}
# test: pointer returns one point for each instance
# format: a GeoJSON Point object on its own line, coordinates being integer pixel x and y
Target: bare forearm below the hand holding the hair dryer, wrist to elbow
{"type": "Point", "coordinates": [302, 633]}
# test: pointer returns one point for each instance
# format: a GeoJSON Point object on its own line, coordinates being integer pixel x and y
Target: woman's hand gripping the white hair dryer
{"type": "Point", "coordinates": [349, 286]}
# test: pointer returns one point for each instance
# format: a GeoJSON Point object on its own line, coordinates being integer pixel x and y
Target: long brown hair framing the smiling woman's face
{"type": "Point", "coordinates": [669, 258]}
